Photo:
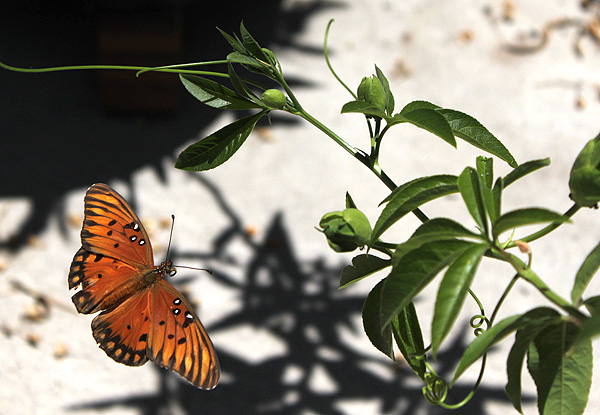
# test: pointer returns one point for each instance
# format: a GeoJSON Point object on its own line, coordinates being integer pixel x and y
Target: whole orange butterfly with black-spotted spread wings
{"type": "Point", "coordinates": [143, 317]}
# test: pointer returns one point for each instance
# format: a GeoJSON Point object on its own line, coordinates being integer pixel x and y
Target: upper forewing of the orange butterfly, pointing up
{"type": "Point", "coordinates": [111, 228]}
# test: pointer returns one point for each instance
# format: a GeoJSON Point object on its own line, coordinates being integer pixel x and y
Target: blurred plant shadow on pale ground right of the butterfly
{"type": "Point", "coordinates": [298, 302]}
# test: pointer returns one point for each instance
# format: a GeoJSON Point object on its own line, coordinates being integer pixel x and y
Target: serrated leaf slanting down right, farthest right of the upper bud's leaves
{"type": "Point", "coordinates": [471, 130]}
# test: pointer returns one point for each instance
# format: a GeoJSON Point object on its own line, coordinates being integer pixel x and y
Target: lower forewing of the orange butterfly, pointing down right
{"type": "Point", "coordinates": [178, 341]}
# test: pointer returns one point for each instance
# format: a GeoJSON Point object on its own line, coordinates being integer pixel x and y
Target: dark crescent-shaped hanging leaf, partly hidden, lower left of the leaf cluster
{"type": "Point", "coordinates": [378, 332]}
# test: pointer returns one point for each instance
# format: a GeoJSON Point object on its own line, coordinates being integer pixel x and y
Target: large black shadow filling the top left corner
{"type": "Point", "coordinates": [66, 130]}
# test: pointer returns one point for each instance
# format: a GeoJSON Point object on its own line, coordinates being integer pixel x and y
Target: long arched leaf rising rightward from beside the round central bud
{"type": "Point", "coordinates": [404, 199]}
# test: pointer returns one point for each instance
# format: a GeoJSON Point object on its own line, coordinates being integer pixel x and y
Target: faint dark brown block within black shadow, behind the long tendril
{"type": "Point", "coordinates": [146, 37]}
